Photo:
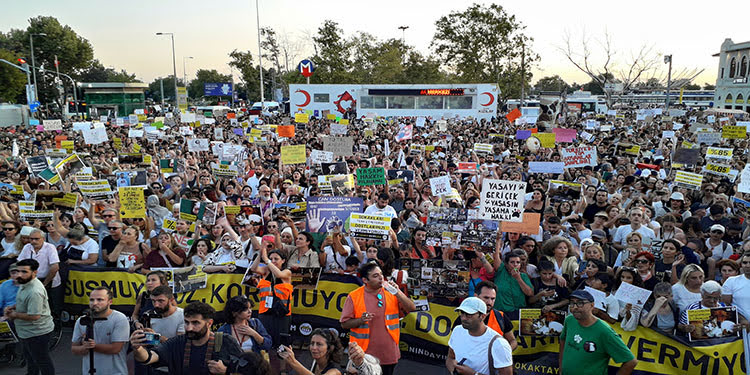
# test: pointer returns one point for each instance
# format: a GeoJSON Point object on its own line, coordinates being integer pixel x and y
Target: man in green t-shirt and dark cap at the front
{"type": "Point", "coordinates": [588, 340]}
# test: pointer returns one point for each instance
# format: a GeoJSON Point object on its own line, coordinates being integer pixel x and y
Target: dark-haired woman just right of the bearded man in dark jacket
{"type": "Point", "coordinates": [239, 323]}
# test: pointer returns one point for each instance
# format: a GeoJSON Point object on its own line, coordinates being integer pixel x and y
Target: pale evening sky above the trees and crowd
{"type": "Point", "coordinates": [123, 33]}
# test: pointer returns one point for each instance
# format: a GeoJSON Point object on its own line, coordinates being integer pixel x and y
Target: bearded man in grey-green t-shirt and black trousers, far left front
{"type": "Point", "coordinates": [32, 318]}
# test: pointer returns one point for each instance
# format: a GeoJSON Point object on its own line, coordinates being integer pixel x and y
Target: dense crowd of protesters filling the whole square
{"type": "Point", "coordinates": [624, 219]}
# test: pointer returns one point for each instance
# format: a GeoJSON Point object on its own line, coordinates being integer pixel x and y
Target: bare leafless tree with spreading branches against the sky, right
{"type": "Point", "coordinates": [609, 71]}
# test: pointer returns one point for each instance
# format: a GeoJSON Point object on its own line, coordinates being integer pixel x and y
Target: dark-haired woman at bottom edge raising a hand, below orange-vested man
{"type": "Point", "coordinates": [326, 351]}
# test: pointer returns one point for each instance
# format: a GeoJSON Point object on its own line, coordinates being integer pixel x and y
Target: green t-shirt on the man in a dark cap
{"type": "Point", "coordinates": [593, 345]}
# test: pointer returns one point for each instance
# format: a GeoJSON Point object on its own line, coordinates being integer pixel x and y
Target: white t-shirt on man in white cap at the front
{"type": "Point", "coordinates": [474, 349]}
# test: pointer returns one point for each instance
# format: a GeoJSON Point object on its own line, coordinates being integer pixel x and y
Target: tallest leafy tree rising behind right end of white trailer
{"type": "Point", "coordinates": [485, 44]}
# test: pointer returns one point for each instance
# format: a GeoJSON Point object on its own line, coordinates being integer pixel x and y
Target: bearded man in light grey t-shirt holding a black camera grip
{"type": "Point", "coordinates": [110, 333]}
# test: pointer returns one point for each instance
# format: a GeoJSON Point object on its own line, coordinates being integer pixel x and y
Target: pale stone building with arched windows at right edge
{"type": "Point", "coordinates": [732, 86]}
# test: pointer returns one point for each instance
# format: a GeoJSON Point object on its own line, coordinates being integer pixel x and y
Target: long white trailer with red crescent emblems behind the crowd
{"type": "Point", "coordinates": [476, 100]}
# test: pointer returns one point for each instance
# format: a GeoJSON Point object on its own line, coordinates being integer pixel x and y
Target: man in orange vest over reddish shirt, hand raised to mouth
{"type": "Point", "coordinates": [372, 312]}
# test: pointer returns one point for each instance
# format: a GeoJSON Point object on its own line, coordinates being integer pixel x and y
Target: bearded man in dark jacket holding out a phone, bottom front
{"type": "Point", "coordinates": [199, 351]}
